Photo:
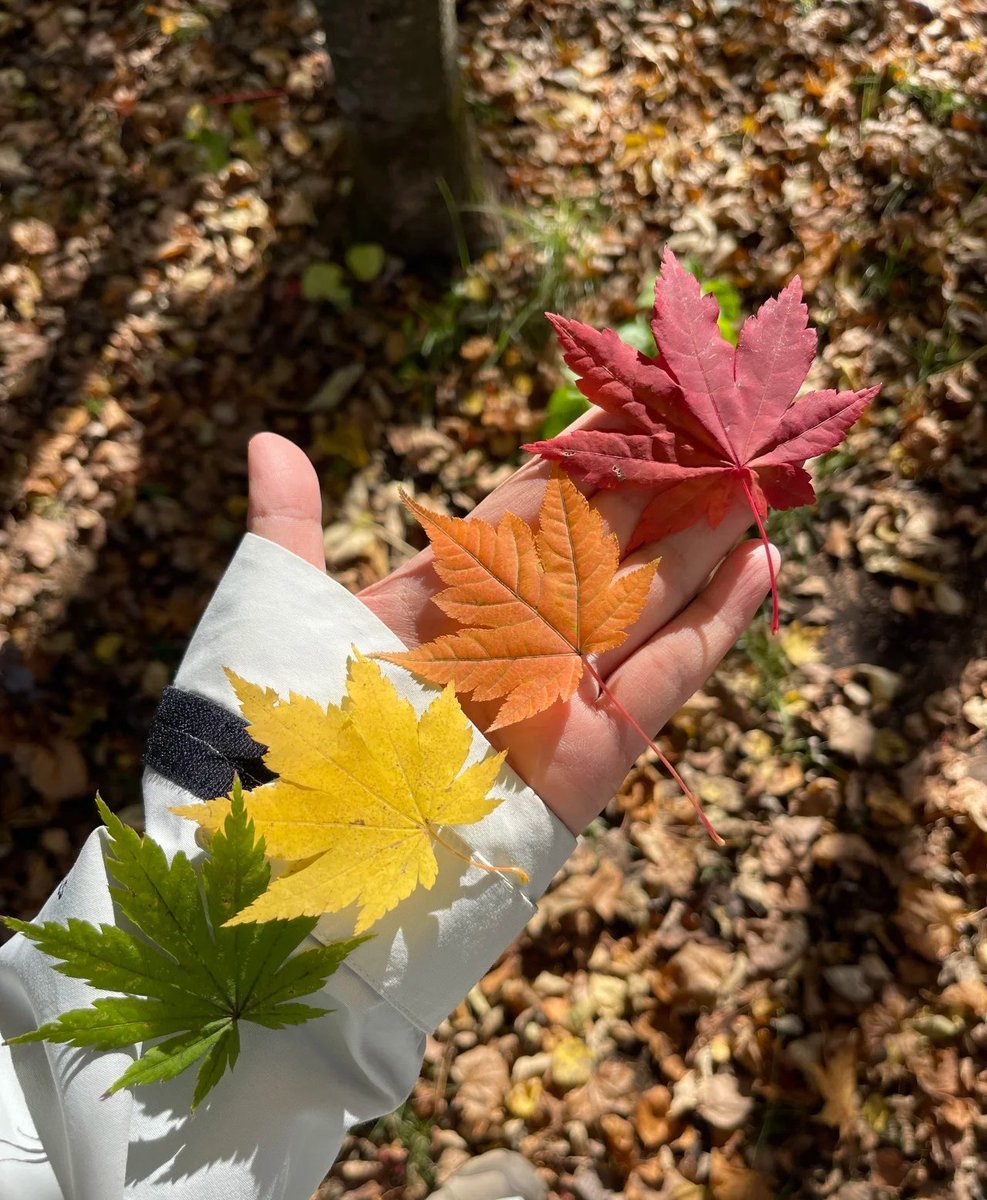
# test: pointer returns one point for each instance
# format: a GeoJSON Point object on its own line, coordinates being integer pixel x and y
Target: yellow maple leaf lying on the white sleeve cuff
{"type": "Point", "coordinates": [364, 790]}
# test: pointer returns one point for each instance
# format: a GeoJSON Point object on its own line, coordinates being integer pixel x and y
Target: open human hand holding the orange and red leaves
{"type": "Point", "coordinates": [575, 755]}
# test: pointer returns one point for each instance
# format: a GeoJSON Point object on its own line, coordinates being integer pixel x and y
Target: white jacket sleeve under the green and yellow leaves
{"type": "Point", "coordinates": [273, 1127]}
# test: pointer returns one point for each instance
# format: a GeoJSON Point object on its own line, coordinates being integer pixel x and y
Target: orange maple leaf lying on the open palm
{"type": "Point", "coordinates": [536, 604]}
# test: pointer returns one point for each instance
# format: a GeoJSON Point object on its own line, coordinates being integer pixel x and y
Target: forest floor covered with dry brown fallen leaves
{"type": "Point", "coordinates": [799, 1015]}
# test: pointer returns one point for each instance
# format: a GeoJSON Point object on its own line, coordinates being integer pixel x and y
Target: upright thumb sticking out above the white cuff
{"type": "Point", "coordinates": [285, 500]}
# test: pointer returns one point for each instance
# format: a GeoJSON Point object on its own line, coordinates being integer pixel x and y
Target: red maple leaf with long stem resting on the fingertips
{"type": "Point", "coordinates": [709, 421]}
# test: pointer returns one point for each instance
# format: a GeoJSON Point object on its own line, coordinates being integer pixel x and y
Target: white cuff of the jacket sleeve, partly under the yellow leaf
{"type": "Point", "coordinates": [278, 621]}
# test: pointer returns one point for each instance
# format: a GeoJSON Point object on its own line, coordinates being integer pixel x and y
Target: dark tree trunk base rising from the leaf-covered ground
{"type": "Point", "coordinates": [398, 86]}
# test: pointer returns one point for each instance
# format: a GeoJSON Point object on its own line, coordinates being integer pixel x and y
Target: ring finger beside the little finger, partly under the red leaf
{"type": "Point", "coordinates": [687, 561]}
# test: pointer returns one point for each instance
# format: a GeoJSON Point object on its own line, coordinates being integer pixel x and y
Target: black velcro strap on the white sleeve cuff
{"type": "Point", "coordinates": [201, 746]}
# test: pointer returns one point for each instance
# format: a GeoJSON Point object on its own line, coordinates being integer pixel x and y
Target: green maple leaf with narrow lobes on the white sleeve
{"type": "Point", "coordinates": [183, 977]}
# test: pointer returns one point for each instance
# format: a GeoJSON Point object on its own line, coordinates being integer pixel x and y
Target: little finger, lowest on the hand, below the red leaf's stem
{"type": "Point", "coordinates": [662, 675]}
